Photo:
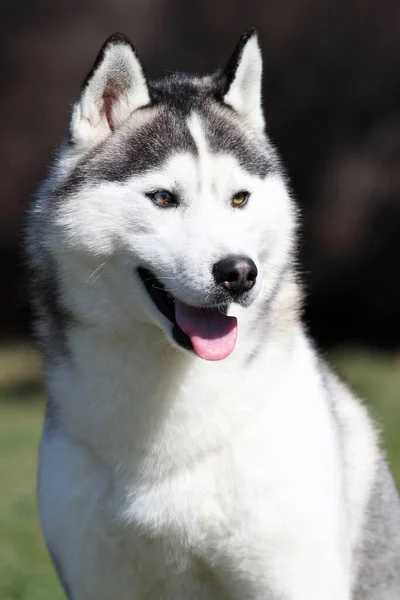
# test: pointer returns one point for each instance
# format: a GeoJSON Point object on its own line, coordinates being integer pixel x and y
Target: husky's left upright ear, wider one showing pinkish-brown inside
{"type": "Point", "coordinates": [113, 89]}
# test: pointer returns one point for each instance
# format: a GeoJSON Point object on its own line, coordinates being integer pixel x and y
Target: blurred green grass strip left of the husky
{"type": "Point", "coordinates": [25, 569]}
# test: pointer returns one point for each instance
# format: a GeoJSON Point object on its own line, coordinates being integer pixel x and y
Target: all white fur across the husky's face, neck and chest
{"type": "Point", "coordinates": [168, 476]}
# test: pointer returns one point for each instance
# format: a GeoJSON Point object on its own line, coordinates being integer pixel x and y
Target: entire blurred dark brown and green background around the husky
{"type": "Point", "coordinates": [332, 101]}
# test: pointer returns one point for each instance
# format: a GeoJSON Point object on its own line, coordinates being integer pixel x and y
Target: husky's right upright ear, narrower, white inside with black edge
{"type": "Point", "coordinates": [244, 79]}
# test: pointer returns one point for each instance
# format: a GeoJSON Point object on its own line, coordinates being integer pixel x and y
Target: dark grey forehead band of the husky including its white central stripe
{"type": "Point", "coordinates": [154, 134]}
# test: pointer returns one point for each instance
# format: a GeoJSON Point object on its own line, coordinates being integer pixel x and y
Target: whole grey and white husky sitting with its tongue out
{"type": "Point", "coordinates": [195, 445]}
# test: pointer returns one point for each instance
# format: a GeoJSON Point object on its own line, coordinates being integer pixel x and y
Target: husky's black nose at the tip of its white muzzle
{"type": "Point", "coordinates": [237, 274]}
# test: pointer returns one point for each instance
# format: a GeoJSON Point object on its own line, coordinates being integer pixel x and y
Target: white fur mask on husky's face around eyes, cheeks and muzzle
{"type": "Point", "coordinates": [103, 230]}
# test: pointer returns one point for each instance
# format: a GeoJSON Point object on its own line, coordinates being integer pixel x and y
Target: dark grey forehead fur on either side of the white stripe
{"type": "Point", "coordinates": [152, 144]}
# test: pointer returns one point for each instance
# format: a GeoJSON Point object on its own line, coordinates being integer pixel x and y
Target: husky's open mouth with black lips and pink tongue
{"type": "Point", "coordinates": [208, 331]}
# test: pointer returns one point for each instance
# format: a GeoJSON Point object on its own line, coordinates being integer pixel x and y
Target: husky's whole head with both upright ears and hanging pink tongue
{"type": "Point", "coordinates": [171, 208]}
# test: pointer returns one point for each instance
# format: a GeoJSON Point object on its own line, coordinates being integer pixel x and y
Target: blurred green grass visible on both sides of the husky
{"type": "Point", "coordinates": [25, 569]}
